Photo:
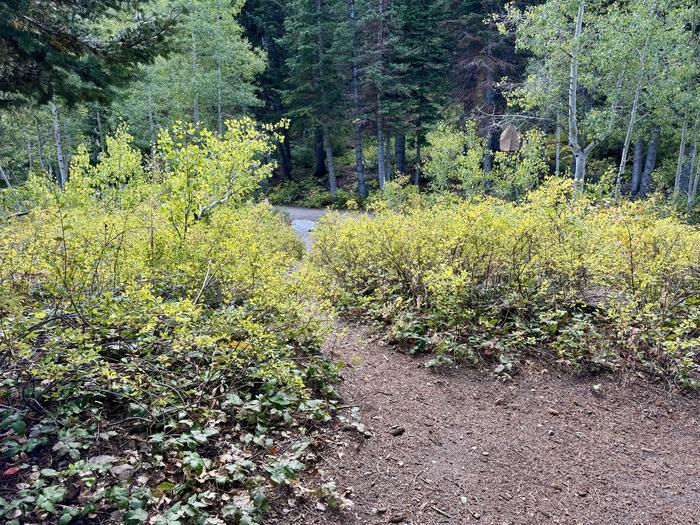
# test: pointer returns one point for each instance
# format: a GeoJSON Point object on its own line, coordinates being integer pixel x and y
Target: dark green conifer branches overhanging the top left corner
{"type": "Point", "coordinates": [47, 49]}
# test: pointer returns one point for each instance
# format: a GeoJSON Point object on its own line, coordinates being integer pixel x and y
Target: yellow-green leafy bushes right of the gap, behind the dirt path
{"type": "Point", "coordinates": [489, 282]}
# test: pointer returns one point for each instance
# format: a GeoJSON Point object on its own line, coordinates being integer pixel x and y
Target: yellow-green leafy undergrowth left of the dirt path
{"type": "Point", "coordinates": [155, 367]}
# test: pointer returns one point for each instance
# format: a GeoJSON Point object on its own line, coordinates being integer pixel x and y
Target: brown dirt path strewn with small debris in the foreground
{"type": "Point", "coordinates": [465, 448]}
